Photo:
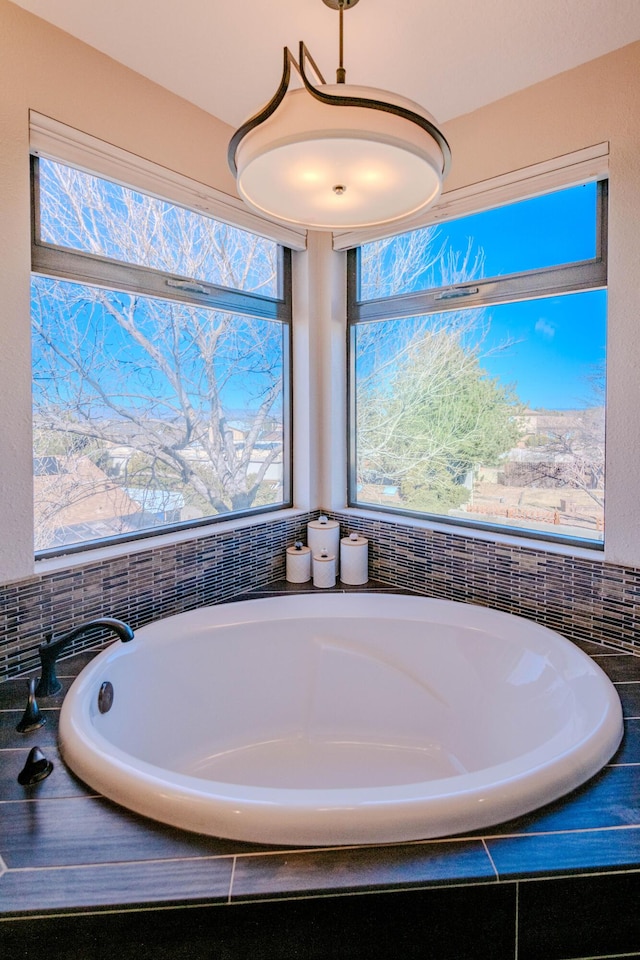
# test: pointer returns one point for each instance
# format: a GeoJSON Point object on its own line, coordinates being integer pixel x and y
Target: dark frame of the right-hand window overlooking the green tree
{"type": "Point", "coordinates": [574, 277]}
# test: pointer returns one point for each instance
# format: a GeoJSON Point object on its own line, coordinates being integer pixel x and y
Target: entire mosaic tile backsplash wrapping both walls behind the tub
{"type": "Point", "coordinates": [582, 599]}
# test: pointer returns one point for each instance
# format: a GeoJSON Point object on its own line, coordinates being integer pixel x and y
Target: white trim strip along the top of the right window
{"type": "Point", "coordinates": [581, 166]}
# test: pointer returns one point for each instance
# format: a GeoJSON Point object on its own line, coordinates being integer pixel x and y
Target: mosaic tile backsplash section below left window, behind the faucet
{"type": "Point", "coordinates": [141, 587]}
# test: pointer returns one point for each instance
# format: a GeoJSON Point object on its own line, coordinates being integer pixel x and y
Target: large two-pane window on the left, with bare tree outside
{"type": "Point", "coordinates": [160, 363]}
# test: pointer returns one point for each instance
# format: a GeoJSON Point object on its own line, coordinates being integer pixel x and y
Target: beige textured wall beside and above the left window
{"type": "Point", "coordinates": [44, 69]}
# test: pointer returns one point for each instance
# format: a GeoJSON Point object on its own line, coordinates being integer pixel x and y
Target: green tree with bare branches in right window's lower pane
{"type": "Point", "coordinates": [428, 413]}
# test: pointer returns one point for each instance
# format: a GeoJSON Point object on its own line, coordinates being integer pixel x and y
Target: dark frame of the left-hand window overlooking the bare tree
{"type": "Point", "coordinates": [76, 266]}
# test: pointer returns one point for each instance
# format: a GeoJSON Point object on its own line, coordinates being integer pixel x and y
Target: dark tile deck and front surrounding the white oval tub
{"type": "Point", "coordinates": [81, 877]}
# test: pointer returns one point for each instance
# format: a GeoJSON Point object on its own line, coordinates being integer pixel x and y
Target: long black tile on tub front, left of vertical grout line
{"type": "Point", "coordinates": [447, 924]}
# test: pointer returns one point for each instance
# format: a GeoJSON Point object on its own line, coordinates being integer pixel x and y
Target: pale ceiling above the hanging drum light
{"type": "Point", "coordinates": [451, 57]}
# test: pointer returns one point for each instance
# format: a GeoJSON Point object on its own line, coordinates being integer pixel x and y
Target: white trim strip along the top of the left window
{"type": "Point", "coordinates": [56, 141]}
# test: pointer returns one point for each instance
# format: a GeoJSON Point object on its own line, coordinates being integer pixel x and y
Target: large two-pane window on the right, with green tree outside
{"type": "Point", "coordinates": [477, 368]}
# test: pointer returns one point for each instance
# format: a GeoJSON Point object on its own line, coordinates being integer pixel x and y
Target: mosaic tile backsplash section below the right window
{"type": "Point", "coordinates": [582, 599]}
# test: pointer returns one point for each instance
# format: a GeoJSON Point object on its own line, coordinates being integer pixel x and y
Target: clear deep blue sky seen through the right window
{"type": "Point", "coordinates": [557, 343]}
